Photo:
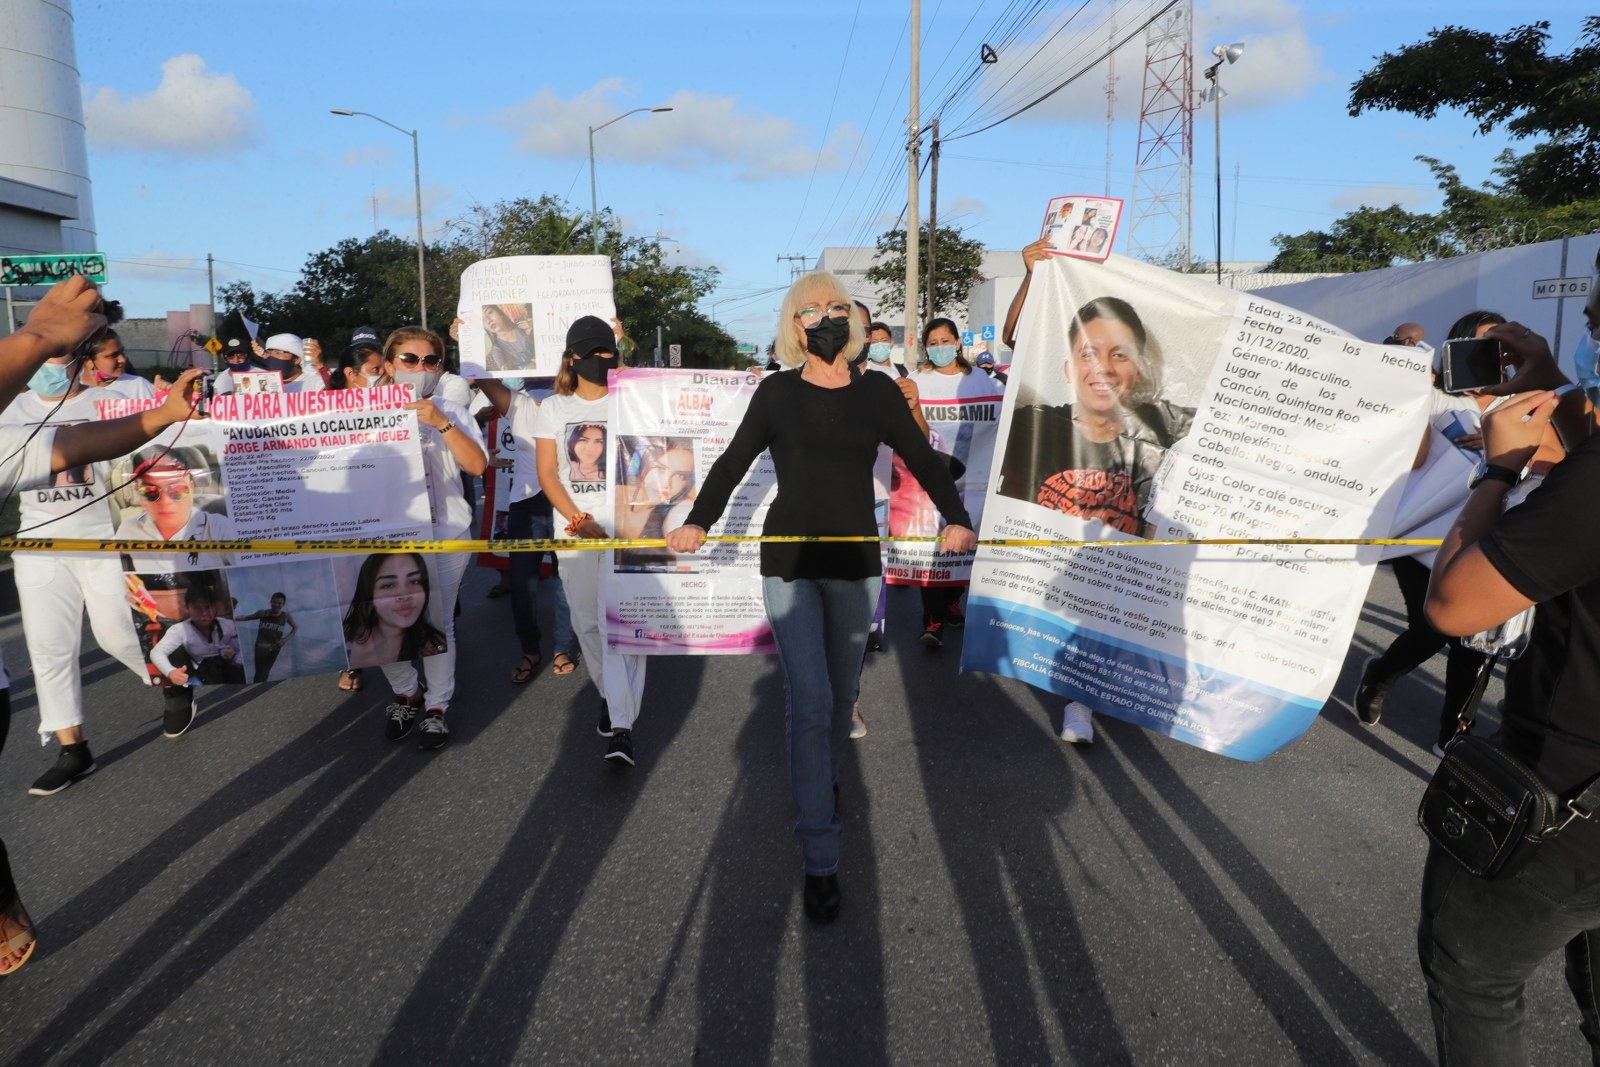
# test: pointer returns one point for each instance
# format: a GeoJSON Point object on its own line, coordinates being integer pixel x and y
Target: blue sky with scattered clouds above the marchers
{"type": "Point", "coordinates": [210, 129]}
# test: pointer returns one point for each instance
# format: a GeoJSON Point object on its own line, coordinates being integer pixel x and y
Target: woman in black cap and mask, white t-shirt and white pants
{"type": "Point", "coordinates": [574, 446]}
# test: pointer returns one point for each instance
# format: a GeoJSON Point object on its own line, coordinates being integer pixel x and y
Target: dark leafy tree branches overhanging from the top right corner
{"type": "Point", "coordinates": [1506, 81]}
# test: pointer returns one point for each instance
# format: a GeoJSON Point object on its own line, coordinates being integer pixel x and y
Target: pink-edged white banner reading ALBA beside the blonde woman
{"type": "Point", "coordinates": [668, 430]}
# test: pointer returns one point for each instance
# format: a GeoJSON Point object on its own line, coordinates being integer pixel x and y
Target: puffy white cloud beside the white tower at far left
{"type": "Point", "coordinates": [193, 111]}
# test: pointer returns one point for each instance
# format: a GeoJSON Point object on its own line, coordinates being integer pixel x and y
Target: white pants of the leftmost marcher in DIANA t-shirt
{"type": "Point", "coordinates": [55, 594]}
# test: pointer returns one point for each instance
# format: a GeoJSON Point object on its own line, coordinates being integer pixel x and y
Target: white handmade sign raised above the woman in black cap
{"type": "Point", "coordinates": [516, 311]}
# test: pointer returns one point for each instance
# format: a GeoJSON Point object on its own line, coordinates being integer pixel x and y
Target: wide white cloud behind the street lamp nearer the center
{"type": "Point", "coordinates": [700, 132]}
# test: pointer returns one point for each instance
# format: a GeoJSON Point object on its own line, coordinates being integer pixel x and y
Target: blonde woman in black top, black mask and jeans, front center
{"type": "Point", "coordinates": [823, 425]}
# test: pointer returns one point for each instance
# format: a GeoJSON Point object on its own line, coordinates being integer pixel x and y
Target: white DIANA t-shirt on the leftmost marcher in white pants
{"type": "Point", "coordinates": [58, 510]}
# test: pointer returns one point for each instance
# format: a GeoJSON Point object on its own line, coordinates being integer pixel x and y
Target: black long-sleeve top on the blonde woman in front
{"type": "Point", "coordinates": [825, 444]}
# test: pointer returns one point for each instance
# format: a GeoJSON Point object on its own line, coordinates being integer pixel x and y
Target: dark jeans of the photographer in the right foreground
{"type": "Point", "coordinates": [1479, 941]}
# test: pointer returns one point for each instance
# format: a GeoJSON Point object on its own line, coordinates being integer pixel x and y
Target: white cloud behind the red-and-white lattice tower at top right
{"type": "Point", "coordinates": [1281, 62]}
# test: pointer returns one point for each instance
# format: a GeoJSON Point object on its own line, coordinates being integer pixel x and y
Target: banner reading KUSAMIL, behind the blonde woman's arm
{"type": "Point", "coordinates": [962, 414]}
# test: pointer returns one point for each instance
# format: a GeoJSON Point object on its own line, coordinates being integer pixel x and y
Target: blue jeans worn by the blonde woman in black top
{"type": "Point", "coordinates": [822, 631]}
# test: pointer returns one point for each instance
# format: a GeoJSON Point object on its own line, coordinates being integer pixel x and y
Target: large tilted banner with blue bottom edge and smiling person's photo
{"type": "Point", "coordinates": [1150, 404]}
